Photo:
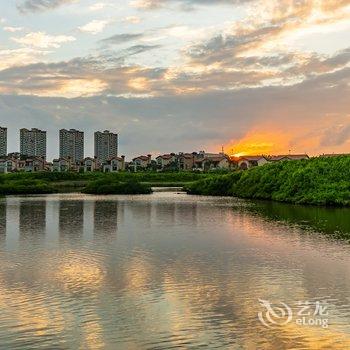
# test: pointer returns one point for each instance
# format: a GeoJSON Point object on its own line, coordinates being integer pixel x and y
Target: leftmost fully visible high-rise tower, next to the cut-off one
{"type": "Point", "coordinates": [33, 143]}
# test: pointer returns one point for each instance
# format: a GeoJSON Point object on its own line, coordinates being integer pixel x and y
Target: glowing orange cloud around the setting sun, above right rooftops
{"type": "Point", "coordinates": [329, 135]}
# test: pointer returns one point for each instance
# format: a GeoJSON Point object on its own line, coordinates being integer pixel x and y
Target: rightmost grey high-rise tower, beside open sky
{"type": "Point", "coordinates": [106, 145]}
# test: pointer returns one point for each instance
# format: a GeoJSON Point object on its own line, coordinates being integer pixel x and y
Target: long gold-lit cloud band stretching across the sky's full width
{"type": "Point", "coordinates": [112, 76]}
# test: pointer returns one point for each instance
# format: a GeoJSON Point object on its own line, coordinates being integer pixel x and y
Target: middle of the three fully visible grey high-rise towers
{"type": "Point", "coordinates": [72, 144]}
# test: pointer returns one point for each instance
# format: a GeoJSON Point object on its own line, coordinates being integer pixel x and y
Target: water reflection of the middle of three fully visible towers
{"type": "Point", "coordinates": [71, 219]}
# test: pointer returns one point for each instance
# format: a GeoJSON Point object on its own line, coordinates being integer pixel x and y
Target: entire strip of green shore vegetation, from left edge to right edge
{"type": "Point", "coordinates": [316, 181]}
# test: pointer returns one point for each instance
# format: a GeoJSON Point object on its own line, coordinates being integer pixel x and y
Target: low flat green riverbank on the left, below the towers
{"type": "Point", "coordinates": [46, 183]}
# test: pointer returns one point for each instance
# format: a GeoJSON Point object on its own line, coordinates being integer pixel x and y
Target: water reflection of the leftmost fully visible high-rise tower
{"type": "Point", "coordinates": [32, 218]}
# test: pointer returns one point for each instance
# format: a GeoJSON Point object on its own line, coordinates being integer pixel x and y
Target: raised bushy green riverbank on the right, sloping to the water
{"type": "Point", "coordinates": [317, 181]}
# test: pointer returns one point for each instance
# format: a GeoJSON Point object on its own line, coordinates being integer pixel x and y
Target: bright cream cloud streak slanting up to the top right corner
{"type": "Point", "coordinates": [264, 30]}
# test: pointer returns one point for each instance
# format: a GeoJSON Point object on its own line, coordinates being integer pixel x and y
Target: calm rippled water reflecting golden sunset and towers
{"type": "Point", "coordinates": [169, 271]}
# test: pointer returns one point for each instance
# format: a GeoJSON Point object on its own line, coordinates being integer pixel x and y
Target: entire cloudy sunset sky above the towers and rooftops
{"type": "Point", "coordinates": [254, 76]}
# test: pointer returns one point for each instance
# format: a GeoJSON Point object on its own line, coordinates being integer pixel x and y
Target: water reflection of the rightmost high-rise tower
{"type": "Point", "coordinates": [106, 217]}
